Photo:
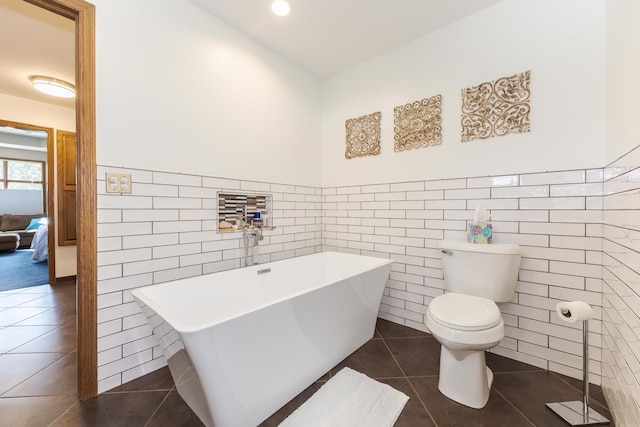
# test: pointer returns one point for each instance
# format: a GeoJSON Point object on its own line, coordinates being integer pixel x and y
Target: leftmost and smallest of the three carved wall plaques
{"type": "Point", "coordinates": [363, 136]}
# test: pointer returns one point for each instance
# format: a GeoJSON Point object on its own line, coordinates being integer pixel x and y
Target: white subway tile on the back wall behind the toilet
{"type": "Point", "coordinates": [556, 217]}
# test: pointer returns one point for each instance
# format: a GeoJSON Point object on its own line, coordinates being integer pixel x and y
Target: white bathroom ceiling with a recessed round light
{"type": "Point", "coordinates": [325, 37]}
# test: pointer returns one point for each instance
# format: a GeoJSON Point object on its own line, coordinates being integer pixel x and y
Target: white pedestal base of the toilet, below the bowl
{"type": "Point", "coordinates": [465, 377]}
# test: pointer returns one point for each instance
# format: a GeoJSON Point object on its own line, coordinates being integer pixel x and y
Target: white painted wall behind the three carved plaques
{"type": "Point", "coordinates": [562, 43]}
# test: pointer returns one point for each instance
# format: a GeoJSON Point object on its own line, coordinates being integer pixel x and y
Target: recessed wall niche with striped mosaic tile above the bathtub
{"type": "Point", "coordinates": [237, 210]}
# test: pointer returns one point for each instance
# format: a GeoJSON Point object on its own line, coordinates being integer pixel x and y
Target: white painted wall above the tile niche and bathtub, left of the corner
{"type": "Point", "coordinates": [180, 91]}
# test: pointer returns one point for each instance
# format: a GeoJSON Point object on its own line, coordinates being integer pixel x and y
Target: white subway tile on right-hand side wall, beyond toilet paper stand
{"type": "Point", "coordinates": [621, 288]}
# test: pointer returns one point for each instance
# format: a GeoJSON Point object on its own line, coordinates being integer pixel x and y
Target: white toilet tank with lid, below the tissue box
{"type": "Point", "coordinates": [484, 270]}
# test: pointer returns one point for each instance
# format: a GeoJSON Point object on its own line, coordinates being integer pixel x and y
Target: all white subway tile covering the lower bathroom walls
{"type": "Point", "coordinates": [165, 230]}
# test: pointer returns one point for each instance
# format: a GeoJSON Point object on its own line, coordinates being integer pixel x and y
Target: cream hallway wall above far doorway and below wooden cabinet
{"type": "Point", "coordinates": [23, 110]}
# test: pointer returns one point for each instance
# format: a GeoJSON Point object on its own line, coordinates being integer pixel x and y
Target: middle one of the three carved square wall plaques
{"type": "Point", "coordinates": [418, 124]}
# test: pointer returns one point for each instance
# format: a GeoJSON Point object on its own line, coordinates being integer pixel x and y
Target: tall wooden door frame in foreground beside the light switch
{"type": "Point", "coordinates": [83, 14]}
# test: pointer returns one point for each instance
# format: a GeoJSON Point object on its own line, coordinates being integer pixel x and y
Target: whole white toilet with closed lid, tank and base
{"type": "Point", "coordinates": [466, 319]}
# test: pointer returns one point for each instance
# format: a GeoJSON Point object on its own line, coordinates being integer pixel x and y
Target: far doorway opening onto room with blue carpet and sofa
{"type": "Point", "coordinates": [27, 180]}
